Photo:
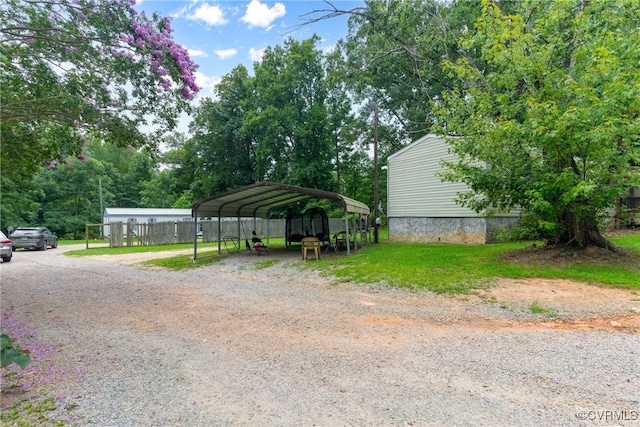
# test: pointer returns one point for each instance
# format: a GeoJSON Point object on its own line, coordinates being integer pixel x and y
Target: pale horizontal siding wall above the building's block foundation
{"type": "Point", "coordinates": [414, 187]}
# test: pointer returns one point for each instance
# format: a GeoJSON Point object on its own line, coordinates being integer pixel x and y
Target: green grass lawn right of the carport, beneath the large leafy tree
{"type": "Point", "coordinates": [453, 268]}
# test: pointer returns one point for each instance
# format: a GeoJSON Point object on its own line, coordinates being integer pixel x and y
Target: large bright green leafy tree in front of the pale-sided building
{"type": "Point", "coordinates": [549, 121]}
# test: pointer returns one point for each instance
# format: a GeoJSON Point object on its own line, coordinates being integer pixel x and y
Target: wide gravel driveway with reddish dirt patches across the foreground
{"type": "Point", "coordinates": [116, 343]}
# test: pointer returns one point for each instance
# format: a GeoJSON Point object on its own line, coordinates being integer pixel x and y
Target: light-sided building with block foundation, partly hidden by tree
{"type": "Point", "coordinates": [422, 208]}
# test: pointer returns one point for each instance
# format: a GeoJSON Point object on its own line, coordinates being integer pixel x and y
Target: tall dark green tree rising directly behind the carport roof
{"type": "Point", "coordinates": [288, 116]}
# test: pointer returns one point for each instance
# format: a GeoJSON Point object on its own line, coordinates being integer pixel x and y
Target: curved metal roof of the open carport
{"type": "Point", "coordinates": [257, 200]}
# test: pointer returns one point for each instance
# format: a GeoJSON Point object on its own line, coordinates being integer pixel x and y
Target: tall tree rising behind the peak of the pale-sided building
{"type": "Point", "coordinates": [395, 51]}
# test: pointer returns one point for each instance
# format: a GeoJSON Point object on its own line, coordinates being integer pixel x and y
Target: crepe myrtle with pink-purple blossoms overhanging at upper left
{"type": "Point", "coordinates": [71, 68]}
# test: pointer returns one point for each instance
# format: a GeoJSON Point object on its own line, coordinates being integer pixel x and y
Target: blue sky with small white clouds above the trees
{"type": "Point", "coordinates": [220, 35]}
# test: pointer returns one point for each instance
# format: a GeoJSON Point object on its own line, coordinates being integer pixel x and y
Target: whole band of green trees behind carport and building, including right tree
{"type": "Point", "coordinates": [545, 93]}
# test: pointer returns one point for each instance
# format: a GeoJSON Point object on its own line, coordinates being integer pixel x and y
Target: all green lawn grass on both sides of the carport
{"type": "Point", "coordinates": [441, 268]}
